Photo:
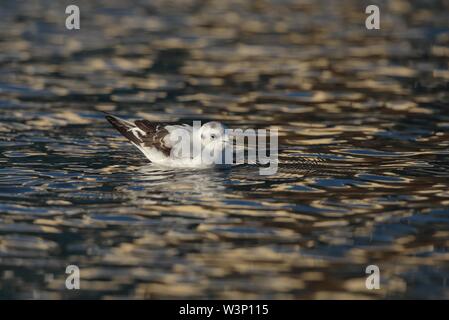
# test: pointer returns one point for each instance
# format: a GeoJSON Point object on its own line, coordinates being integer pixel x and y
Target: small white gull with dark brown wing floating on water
{"type": "Point", "coordinates": [175, 145]}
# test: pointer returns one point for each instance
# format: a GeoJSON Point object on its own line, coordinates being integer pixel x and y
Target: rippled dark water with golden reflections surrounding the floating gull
{"type": "Point", "coordinates": [364, 135]}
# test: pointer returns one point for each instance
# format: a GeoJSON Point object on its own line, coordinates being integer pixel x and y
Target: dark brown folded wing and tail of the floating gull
{"type": "Point", "coordinates": [153, 137]}
